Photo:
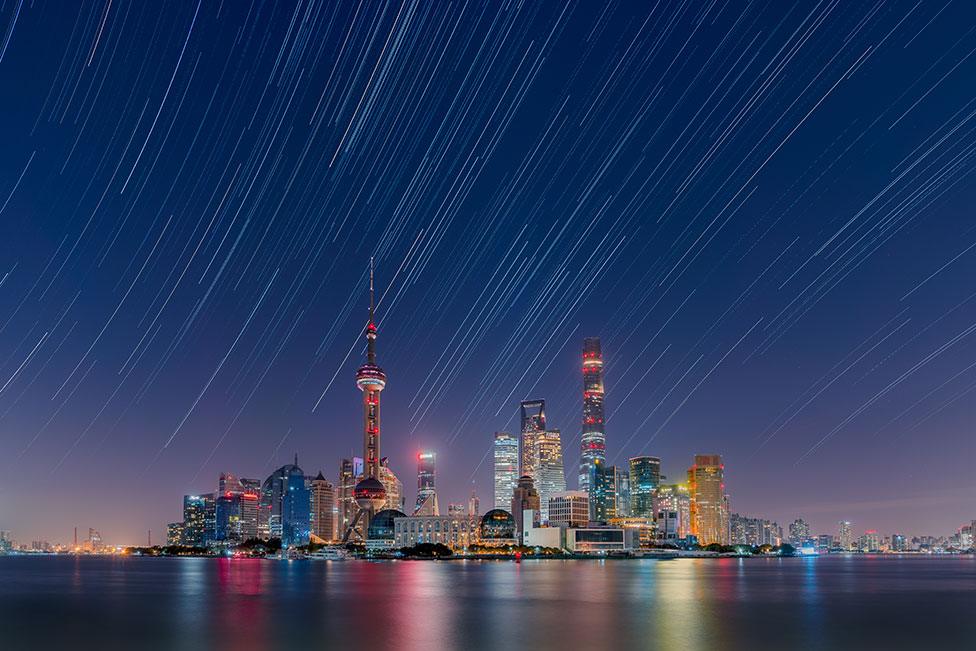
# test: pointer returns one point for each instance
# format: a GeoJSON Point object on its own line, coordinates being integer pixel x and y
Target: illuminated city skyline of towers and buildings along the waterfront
{"type": "Point", "coordinates": [614, 508]}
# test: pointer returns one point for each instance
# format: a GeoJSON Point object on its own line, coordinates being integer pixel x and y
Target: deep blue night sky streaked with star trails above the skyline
{"type": "Point", "coordinates": [763, 209]}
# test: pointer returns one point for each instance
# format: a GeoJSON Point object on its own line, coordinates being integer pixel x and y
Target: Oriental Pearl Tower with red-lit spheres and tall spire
{"type": "Point", "coordinates": [369, 493]}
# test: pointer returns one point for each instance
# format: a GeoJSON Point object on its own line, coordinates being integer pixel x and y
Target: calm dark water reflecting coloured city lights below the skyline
{"type": "Point", "coordinates": [195, 603]}
